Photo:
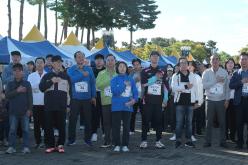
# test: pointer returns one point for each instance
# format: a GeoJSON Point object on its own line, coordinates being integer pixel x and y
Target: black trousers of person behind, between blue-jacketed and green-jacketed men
{"type": "Point", "coordinates": [96, 114]}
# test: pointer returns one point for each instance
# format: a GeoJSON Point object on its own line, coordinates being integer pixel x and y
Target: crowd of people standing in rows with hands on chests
{"type": "Point", "coordinates": [189, 97]}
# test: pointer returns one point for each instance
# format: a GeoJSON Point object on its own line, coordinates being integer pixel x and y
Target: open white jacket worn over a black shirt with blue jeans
{"type": "Point", "coordinates": [196, 91]}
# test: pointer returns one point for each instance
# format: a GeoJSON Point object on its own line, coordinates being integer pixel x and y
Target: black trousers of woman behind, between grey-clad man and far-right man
{"type": "Point", "coordinates": [230, 121]}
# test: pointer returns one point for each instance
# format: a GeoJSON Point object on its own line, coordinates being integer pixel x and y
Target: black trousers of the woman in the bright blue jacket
{"type": "Point", "coordinates": [117, 117]}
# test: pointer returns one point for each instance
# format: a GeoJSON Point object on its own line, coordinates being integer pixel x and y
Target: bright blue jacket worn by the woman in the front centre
{"type": "Point", "coordinates": [120, 93]}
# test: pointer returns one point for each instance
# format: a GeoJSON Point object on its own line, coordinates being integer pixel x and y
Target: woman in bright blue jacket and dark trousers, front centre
{"type": "Point", "coordinates": [124, 95]}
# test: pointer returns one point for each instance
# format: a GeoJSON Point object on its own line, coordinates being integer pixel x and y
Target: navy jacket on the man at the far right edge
{"type": "Point", "coordinates": [236, 84]}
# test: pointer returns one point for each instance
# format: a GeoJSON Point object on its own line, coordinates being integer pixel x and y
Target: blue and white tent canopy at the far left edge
{"type": "Point", "coordinates": [28, 50]}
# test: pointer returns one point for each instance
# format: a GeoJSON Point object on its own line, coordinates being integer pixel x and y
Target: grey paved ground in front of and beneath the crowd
{"type": "Point", "coordinates": [81, 154]}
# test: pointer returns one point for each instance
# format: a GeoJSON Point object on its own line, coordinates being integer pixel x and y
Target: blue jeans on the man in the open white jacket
{"type": "Point", "coordinates": [184, 113]}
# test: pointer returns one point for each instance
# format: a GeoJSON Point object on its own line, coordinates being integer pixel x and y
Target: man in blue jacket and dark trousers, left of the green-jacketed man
{"type": "Point", "coordinates": [83, 96]}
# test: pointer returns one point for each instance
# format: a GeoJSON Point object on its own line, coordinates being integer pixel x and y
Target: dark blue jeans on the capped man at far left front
{"type": "Point", "coordinates": [13, 122]}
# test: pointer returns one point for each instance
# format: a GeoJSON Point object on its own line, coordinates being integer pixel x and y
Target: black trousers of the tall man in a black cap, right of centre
{"type": "Point", "coordinates": [152, 113]}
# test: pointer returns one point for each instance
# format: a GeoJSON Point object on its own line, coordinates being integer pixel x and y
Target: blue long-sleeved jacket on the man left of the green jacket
{"type": "Point", "coordinates": [83, 88]}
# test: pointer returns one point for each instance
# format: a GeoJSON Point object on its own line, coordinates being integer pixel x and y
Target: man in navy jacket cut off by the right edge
{"type": "Point", "coordinates": [239, 82]}
